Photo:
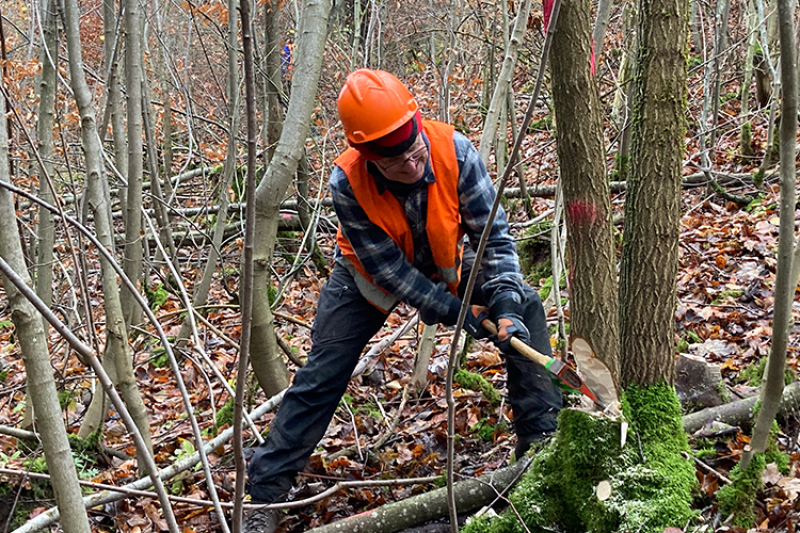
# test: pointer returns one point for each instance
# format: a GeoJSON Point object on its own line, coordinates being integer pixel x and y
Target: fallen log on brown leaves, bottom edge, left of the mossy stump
{"type": "Point", "coordinates": [471, 494]}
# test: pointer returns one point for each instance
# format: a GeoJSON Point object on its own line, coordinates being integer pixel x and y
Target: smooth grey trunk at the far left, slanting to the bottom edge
{"type": "Point", "coordinates": [33, 348]}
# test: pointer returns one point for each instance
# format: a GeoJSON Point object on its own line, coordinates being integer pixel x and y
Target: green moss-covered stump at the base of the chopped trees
{"type": "Point", "coordinates": [651, 483]}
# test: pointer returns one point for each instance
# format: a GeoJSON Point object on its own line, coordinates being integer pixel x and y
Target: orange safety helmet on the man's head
{"type": "Point", "coordinates": [372, 104]}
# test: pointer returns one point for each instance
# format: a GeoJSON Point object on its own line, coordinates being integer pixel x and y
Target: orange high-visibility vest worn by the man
{"type": "Point", "coordinates": [443, 223]}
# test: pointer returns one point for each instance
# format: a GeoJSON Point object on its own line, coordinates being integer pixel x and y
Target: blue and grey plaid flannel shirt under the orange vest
{"type": "Point", "coordinates": [385, 261]}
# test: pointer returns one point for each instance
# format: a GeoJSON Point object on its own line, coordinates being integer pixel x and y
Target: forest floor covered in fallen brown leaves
{"type": "Point", "coordinates": [727, 271]}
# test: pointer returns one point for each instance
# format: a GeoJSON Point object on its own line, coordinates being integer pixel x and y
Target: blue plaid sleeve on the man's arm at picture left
{"type": "Point", "coordinates": [384, 260]}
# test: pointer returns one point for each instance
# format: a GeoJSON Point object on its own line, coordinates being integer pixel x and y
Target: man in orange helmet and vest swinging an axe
{"type": "Point", "coordinates": [406, 193]}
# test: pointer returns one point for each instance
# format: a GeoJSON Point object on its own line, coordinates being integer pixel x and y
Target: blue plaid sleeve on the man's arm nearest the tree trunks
{"type": "Point", "coordinates": [476, 195]}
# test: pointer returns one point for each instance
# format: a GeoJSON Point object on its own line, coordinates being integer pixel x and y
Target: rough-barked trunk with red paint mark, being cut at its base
{"type": "Point", "coordinates": [590, 242]}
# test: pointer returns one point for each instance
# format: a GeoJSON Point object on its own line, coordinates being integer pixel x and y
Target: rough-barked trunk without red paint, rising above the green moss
{"type": "Point", "coordinates": [652, 208]}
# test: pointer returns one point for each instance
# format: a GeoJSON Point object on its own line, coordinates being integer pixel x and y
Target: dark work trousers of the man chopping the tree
{"type": "Point", "coordinates": [345, 322]}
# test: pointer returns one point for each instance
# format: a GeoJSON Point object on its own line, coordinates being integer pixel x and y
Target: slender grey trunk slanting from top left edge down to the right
{"type": "Point", "coordinates": [117, 349]}
